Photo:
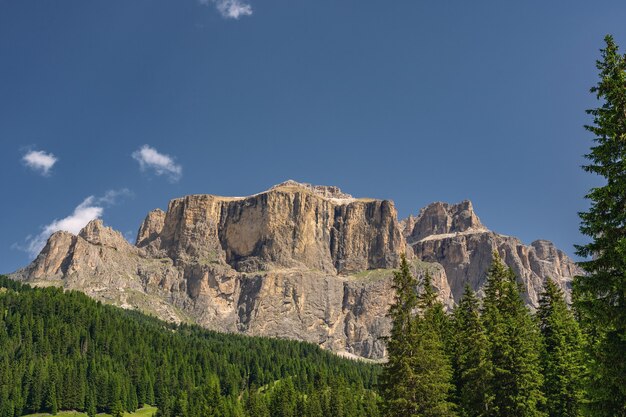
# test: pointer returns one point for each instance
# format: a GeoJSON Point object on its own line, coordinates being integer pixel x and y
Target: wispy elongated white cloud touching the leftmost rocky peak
{"type": "Point", "coordinates": [91, 208]}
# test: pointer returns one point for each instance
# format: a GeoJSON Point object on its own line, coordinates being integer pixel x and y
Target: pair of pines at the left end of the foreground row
{"type": "Point", "coordinates": [416, 378]}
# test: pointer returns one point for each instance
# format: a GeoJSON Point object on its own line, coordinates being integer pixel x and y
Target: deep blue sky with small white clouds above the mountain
{"type": "Point", "coordinates": [111, 108]}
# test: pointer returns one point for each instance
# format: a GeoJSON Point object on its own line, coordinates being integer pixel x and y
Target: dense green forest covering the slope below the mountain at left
{"type": "Point", "coordinates": [62, 350]}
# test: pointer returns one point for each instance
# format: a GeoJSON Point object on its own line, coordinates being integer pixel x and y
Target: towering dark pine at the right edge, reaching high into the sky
{"type": "Point", "coordinates": [600, 297]}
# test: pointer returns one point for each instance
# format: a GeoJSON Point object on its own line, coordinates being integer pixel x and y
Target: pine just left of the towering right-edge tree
{"type": "Point", "coordinates": [561, 357]}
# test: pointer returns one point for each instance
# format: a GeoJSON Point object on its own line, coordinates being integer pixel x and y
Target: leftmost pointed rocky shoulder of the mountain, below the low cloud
{"type": "Point", "coordinates": [102, 264]}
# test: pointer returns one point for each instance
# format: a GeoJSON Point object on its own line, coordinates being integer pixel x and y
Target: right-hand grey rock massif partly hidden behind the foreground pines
{"type": "Point", "coordinates": [454, 237]}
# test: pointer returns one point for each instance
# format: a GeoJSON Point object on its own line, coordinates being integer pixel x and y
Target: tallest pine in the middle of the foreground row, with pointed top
{"type": "Point", "coordinates": [515, 386]}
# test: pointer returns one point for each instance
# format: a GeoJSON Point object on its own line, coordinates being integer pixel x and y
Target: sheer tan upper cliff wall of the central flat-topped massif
{"type": "Point", "coordinates": [290, 225]}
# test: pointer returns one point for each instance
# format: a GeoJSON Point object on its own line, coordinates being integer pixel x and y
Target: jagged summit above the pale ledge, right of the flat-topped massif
{"type": "Point", "coordinates": [442, 218]}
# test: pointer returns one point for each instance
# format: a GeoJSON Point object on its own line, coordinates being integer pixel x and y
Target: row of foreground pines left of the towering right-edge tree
{"type": "Point", "coordinates": [489, 358]}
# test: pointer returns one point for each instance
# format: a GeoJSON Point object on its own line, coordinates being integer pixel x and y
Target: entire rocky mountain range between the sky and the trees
{"type": "Point", "coordinates": [296, 261]}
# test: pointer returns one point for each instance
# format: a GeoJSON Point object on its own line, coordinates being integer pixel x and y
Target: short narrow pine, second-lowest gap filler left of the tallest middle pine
{"type": "Point", "coordinates": [472, 368]}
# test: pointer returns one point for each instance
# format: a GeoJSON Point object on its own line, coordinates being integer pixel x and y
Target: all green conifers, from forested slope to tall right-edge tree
{"type": "Point", "coordinates": [490, 357]}
